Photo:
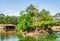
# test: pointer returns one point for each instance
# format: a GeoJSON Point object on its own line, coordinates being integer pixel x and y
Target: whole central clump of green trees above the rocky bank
{"type": "Point", "coordinates": [31, 17]}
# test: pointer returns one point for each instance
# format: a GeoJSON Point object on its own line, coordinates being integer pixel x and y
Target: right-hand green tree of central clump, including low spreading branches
{"type": "Point", "coordinates": [47, 19]}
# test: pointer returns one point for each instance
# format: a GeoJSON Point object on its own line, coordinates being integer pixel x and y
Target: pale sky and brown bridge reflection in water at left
{"type": "Point", "coordinates": [8, 37]}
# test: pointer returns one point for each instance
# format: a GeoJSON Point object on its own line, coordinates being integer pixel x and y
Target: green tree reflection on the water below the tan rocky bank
{"type": "Point", "coordinates": [51, 37]}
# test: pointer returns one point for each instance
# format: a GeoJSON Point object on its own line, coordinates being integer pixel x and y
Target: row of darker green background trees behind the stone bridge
{"type": "Point", "coordinates": [8, 19]}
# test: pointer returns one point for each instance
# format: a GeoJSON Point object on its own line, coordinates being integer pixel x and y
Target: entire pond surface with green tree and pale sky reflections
{"type": "Point", "coordinates": [18, 37]}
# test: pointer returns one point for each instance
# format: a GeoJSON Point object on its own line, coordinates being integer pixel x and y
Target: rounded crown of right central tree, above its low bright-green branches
{"type": "Point", "coordinates": [45, 15]}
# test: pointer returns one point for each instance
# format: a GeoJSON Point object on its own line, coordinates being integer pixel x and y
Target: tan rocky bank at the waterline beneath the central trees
{"type": "Point", "coordinates": [34, 34]}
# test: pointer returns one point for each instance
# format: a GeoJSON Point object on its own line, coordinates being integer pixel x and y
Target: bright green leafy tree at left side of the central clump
{"type": "Point", "coordinates": [24, 21]}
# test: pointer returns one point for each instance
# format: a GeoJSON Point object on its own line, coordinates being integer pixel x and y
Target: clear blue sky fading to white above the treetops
{"type": "Point", "coordinates": [13, 7]}
